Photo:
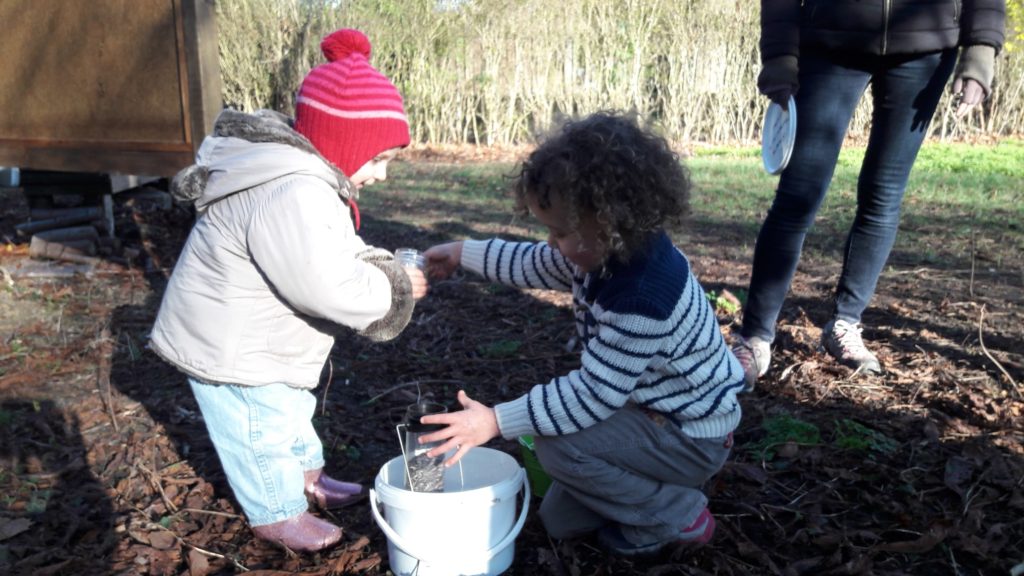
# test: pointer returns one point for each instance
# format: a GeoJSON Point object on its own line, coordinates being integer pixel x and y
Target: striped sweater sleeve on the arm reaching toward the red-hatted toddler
{"type": "Point", "coordinates": [526, 265]}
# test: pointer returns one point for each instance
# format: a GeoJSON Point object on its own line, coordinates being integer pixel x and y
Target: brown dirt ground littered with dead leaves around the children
{"type": "Point", "coordinates": [106, 467]}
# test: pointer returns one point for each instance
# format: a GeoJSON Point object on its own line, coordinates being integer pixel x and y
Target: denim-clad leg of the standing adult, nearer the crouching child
{"type": "Point", "coordinates": [829, 95]}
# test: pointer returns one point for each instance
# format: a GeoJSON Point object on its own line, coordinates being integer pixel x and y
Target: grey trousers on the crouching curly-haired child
{"type": "Point", "coordinates": [635, 469]}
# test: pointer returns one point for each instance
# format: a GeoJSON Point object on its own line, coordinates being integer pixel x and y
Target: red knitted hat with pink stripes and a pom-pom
{"type": "Point", "coordinates": [348, 109]}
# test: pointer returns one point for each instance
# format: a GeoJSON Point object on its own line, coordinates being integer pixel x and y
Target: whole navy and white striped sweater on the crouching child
{"type": "Point", "coordinates": [650, 337]}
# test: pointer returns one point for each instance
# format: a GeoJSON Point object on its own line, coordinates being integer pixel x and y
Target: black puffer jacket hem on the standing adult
{"type": "Point", "coordinates": [879, 27]}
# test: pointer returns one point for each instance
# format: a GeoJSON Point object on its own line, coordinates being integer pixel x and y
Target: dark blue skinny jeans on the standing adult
{"type": "Point", "coordinates": [906, 92]}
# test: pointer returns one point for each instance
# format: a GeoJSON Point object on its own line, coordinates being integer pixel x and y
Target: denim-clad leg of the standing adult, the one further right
{"type": "Point", "coordinates": [906, 93]}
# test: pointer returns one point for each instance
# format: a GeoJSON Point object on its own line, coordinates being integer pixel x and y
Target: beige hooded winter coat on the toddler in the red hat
{"type": "Point", "coordinates": [270, 273]}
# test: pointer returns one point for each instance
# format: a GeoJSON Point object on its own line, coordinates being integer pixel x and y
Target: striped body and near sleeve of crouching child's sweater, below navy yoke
{"type": "Point", "coordinates": [676, 363]}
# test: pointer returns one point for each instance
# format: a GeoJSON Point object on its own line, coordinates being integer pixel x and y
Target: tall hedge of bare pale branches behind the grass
{"type": "Point", "coordinates": [496, 72]}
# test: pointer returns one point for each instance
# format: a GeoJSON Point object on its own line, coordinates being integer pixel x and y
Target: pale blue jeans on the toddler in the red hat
{"type": "Point", "coordinates": [266, 441]}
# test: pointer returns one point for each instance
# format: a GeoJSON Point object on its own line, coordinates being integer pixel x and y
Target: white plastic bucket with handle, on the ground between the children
{"type": "Point", "coordinates": [467, 529]}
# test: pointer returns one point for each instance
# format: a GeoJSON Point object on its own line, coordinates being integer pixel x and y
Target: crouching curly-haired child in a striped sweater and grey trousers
{"type": "Point", "coordinates": [630, 437]}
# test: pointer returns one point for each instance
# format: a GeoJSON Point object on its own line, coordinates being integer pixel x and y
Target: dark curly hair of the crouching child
{"type": "Point", "coordinates": [608, 164]}
